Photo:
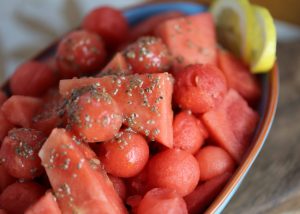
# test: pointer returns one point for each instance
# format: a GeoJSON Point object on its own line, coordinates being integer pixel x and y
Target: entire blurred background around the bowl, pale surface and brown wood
{"type": "Point", "coordinates": [273, 184]}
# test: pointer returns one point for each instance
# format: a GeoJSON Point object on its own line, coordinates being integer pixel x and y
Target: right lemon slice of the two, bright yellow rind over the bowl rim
{"type": "Point", "coordinates": [263, 53]}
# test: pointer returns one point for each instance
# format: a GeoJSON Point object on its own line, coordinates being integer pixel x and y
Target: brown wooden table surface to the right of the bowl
{"type": "Point", "coordinates": [273, 183]}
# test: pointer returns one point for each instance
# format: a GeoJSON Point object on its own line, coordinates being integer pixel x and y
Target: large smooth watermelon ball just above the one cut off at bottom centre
{"type": "Point", "coordinates": [174, 169]}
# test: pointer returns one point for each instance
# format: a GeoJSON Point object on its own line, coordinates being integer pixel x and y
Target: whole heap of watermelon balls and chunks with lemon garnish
{"type": "Point", "coordinates": [151, 118]}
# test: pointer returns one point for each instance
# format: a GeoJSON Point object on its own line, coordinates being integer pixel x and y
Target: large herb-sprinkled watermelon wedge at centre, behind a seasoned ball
{"type": "Point", "coordinates": [144, 100]}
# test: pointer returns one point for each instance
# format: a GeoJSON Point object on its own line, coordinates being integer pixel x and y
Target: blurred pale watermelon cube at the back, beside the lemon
{"type": "Point", "coordinates": [190, 39]}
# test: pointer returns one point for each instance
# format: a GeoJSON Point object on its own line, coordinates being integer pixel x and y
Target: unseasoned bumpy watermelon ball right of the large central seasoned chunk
{"type": "Point", "coordinates": [199, 87]}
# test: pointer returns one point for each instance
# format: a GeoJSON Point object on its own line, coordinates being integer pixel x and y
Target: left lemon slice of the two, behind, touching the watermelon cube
{"type": "Point", "coordinates": [234, 21]}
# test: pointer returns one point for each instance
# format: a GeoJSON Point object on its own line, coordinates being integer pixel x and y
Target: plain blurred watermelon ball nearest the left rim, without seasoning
{"type": "Point", "coordinates": [32, 79]}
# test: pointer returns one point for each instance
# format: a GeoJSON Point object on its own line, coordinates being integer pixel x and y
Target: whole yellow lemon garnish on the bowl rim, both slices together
{"type": "Point", "coordinates": [248, 31]}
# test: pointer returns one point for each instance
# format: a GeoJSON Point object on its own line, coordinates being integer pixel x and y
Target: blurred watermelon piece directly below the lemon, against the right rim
{"type": "Point", "coordinates": [239, 77]}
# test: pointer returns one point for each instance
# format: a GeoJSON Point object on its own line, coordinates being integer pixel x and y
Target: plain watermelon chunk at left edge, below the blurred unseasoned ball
{"type": "Point", "coordinates": [19, 110]}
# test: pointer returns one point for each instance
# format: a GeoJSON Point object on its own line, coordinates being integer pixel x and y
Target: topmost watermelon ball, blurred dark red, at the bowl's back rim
{"type": "Point", "coordinates": [109, 23]}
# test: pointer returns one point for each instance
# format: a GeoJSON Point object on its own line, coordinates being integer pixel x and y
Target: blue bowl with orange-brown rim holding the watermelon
{"type": "Point", "coordinates": [266, 108]}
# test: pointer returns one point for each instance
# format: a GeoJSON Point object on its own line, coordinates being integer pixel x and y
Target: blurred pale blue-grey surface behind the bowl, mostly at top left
{"type": "Point", "coordinates": [28, 26]}
